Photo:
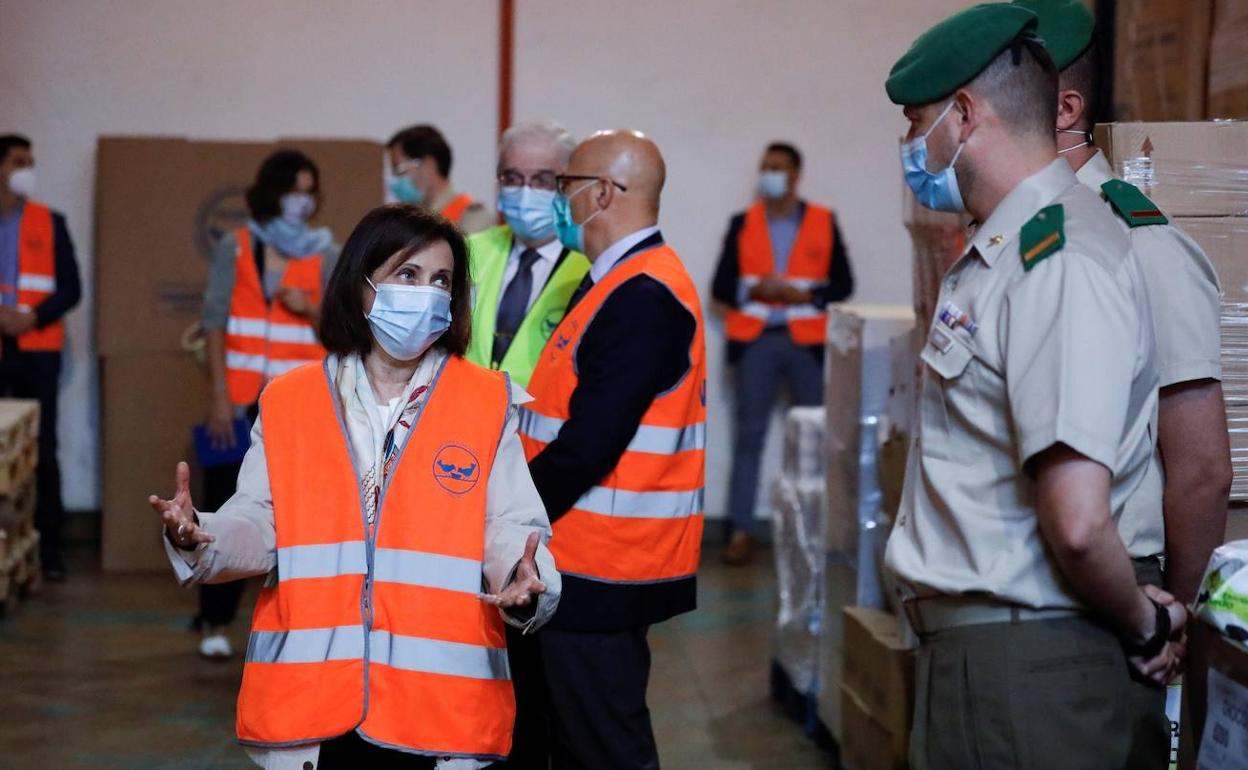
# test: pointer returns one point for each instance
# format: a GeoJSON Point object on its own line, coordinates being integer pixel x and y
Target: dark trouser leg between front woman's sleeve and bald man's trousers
{"type": "Point", "coordinates": [531, 742]}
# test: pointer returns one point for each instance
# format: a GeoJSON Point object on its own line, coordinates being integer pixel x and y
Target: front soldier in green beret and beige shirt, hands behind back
{"type": "Point", "coordinates": [1038, 648]}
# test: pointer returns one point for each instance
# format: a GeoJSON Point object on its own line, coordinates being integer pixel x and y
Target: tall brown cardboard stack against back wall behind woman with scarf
{"type": "Point", "coordinates": [162, 204]}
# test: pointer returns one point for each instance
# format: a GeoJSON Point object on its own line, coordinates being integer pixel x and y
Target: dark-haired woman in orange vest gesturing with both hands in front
{"type": "Point", "coordinates": [388, 500]}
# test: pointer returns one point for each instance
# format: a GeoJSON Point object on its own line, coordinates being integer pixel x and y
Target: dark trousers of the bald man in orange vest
{"type": "Point", "coordinates": [597, 687]}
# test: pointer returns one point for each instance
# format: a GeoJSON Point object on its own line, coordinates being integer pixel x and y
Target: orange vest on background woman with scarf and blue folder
{"type": "Point", "coordinates": [264, 339]}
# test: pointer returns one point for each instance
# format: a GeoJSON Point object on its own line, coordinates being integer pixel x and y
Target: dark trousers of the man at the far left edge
{"type": "Point", "coordinates": [37, 375]}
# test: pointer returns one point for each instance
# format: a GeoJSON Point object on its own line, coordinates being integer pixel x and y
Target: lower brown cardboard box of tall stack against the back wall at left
{"type": "Point", "coordinates": [152, 401]}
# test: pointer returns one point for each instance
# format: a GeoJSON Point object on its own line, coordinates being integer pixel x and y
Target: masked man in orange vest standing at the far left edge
{"type": "Point", "coordinates": [39, 284]}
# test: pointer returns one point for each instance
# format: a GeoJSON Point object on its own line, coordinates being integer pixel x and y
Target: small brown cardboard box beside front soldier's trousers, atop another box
{"type": "Point", "coordinates": [880, 670]}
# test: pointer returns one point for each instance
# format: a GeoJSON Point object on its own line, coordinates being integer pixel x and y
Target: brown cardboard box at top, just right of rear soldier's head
{"type": "Point", "coordinates": [1161, 54]}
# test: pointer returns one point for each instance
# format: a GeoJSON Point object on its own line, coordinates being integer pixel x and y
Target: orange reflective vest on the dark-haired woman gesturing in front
{"type": "Point", "coordinates": [386, 632]}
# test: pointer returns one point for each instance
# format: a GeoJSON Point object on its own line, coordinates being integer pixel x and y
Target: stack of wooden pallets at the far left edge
{"type": "Point", "coordinates": [19, 541]}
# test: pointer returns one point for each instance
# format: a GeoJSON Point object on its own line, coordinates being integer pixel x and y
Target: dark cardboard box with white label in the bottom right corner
{"type": "Point", "coordinates": [1210, 651]}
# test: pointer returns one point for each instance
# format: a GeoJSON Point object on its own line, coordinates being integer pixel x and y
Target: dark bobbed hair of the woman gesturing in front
{"type": "Point", "coordinates": [384, 233]}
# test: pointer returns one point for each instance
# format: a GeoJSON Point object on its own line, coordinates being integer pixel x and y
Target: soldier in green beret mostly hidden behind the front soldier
{"type": "Point", "coordinates": [1194, 454]}
